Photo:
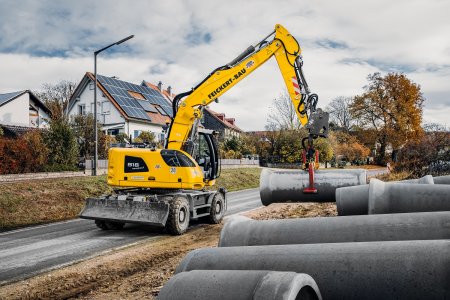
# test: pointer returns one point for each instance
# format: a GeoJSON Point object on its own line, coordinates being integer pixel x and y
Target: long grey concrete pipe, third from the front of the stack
{"type": "Point", "coordinates": [242, 231]}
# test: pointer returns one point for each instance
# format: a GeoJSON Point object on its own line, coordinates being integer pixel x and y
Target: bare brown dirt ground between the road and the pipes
{"type": "Point", "coordinates": [139, 271]}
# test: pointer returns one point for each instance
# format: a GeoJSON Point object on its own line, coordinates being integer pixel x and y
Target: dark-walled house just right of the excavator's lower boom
{"type": "Point", "coordinates": [218, 122]}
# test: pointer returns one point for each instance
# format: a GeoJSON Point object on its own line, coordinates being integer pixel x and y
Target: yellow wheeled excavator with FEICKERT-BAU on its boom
{"type": "Point", "coordinates": [167, 187]}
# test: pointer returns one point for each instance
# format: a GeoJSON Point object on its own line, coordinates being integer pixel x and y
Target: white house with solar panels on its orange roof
{"type": "Point", "coordinates": [123, 107]}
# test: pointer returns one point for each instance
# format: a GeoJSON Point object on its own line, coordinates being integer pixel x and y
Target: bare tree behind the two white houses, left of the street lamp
{"type": "Point", "coordinates": [56, 96]}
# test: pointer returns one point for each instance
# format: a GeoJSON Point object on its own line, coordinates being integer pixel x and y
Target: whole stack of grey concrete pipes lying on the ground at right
{"type": "Point", "coordinates": [398, 248]}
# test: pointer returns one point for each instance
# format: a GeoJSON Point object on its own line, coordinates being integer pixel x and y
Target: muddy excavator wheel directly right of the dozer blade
{"type": "Point", "coordinates": [179, 215]}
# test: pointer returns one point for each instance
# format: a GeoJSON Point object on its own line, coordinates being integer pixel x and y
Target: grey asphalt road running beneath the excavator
{"type": "Point", "coordinates": [33, 250]}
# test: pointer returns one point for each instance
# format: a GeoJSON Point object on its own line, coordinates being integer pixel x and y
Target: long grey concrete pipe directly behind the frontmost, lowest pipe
{"type": "Point", "coordinates": [368, 270]}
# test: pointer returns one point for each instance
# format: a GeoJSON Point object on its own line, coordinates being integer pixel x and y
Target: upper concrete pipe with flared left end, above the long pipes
{"type": "Point", "coordinates": [388, 198]}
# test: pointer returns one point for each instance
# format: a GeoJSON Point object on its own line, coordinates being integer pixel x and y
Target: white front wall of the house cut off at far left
{"type": "Point", "coordinates": [16, 112]}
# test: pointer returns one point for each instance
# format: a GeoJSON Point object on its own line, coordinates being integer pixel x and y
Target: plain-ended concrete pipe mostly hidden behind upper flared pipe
{"type": "Point", "coordinates": [354, 200]}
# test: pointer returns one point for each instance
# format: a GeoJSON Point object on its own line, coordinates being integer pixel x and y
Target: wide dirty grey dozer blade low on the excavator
{"type": "Point", "coordinates": [149, 213]}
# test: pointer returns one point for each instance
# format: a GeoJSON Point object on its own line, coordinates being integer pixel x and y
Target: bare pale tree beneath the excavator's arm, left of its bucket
{"type": "Point", "coordinates": [282, 115]}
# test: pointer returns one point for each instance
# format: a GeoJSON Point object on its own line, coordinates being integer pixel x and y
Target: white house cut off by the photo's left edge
{"type": "Point", "coordinates": [23, 109]}
